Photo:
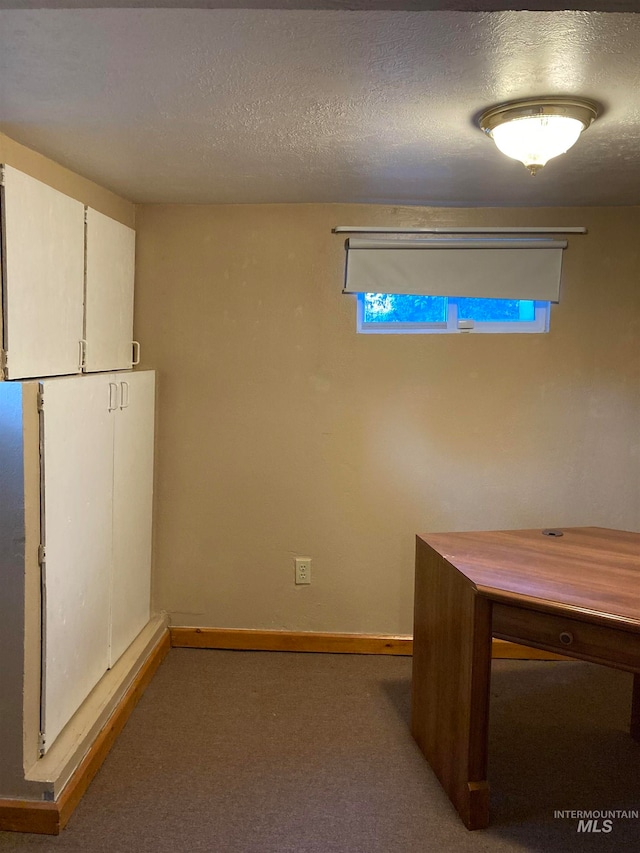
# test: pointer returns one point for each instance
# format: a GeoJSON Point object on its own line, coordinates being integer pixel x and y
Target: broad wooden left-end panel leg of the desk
{"type": "Point", "coordinates": [451, 679]}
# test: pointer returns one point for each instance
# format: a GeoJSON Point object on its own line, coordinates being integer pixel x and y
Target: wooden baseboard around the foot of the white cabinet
{"type": "Point", "coordinates": [49, 818]}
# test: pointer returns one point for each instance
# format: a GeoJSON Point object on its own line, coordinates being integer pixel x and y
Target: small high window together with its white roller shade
{"type": "Point", "coordinates": [454, 285]}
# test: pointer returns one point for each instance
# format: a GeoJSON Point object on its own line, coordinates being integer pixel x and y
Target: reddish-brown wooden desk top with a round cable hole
{"type": "Point", "coordinates": [592, 573]}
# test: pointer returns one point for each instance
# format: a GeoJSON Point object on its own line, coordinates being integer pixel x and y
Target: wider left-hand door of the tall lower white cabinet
{"type": "Point", "coordinates": [77, 435]}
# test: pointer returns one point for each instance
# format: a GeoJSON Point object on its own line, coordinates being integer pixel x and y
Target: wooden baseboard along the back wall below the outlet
{"type": "Point", "coordinates": [244, 639]}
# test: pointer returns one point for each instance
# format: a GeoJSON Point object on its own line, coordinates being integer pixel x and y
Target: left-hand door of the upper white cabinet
{"type": "Point", "coordinates": [42, 277]}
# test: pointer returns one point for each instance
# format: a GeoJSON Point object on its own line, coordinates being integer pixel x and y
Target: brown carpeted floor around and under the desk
{"type": "Point", "coordinates": [257, 752]}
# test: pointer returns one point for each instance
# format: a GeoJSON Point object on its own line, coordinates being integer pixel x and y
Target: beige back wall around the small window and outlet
{"type": "Point", "coordinates": [281, 432]}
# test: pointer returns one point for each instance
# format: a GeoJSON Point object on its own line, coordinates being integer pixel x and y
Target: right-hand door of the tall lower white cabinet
{"type": "Point", "coordinates": [132, 505]}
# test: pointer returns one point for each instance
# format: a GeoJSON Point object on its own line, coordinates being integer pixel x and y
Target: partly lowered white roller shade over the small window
{"type": "Point", "coordinates": [491, 269]}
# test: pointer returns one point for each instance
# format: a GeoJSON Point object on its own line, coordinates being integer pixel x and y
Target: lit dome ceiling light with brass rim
{"type": "Point", "coordinates": [536, 129]}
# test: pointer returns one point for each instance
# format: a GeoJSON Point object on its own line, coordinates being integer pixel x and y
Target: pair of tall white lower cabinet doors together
{"type": "Point", "coordinates": [96, 498]}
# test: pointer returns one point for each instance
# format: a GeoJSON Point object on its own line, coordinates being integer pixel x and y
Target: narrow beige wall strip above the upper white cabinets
{"type": "Point", "coordinates": [66, 181]}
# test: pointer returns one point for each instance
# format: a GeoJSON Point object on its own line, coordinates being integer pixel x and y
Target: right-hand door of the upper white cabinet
{"type": "Point", "coordinates": [109, 293]}
